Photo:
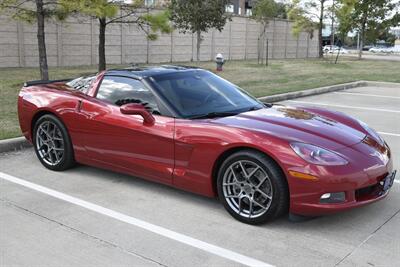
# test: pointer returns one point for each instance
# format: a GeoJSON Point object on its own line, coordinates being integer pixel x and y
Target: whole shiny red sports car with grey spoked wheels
{"type": "Point", "coordinates": [191, 129]}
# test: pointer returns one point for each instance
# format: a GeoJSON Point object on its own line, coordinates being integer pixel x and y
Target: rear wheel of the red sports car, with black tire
{"type": "Point", "coordinates": [63, 162]}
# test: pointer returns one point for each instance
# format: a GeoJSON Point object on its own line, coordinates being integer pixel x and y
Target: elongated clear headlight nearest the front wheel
{"type": "Point", "coordinates": [317, 155]}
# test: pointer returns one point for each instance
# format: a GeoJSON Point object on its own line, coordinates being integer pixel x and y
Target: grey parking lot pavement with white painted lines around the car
{"type": "Point", "coordinates": [93, 217]}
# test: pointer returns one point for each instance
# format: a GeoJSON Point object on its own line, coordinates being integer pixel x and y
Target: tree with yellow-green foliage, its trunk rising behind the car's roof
{"type": "Point", "coordinates": [117, 11]}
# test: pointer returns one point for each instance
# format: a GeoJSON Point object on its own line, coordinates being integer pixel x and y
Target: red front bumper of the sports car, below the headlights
{"type": "Point", "coordinates": [362, 181]}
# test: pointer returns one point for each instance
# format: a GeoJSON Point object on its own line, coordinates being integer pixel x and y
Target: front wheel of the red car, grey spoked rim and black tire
{"type": "Point", "coordinates": [252, 187]}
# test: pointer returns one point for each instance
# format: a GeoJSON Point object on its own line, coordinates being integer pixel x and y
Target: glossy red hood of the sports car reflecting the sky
{"type": "Point", "coordinates": [296, 124]}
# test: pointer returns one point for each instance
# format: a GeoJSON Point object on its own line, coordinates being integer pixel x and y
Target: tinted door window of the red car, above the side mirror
{"type": "Point", "coordinates": [122, 90]}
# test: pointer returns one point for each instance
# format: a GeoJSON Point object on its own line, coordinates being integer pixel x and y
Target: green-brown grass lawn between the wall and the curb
{"type": "Point", "coordinates": [281, 76]}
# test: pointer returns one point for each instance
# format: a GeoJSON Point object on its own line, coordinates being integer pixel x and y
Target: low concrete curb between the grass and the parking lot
{"type": "Point", "coordinates": [19, 143]}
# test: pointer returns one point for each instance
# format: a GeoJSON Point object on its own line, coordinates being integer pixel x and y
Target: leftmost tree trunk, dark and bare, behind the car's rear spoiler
{"type": "Point", "coordinates": [44, 69]}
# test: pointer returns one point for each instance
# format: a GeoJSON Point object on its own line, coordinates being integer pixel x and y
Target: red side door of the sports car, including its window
{"type": "Point", "coordinates": [124, 141]}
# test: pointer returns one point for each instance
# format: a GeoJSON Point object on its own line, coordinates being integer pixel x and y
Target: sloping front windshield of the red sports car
{"type": "Point", "coordinates": [199, 93]}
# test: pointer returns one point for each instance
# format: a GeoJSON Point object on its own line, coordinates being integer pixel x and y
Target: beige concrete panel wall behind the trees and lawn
{"type": "Point", "coordinates": [74, 42]}
